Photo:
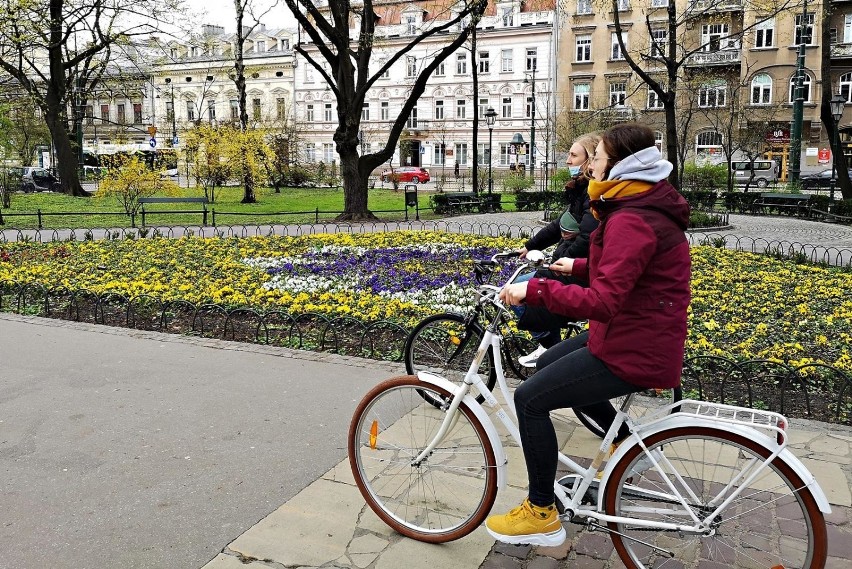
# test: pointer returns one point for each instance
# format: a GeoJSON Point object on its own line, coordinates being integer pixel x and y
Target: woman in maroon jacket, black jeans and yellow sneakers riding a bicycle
{"type": "Point", "coordinates": [637, 300]}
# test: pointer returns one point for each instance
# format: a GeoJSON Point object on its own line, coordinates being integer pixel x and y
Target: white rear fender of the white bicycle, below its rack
{"type": "Point", "coordinates": [674, 421]}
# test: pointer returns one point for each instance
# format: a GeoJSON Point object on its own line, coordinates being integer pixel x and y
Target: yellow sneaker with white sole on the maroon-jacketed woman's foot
{"type": "Point", "coordinates": [528, 524]}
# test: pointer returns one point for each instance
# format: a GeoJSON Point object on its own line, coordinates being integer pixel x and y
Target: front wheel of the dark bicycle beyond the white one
{"type": "Point", "coordinates": [443, 344]}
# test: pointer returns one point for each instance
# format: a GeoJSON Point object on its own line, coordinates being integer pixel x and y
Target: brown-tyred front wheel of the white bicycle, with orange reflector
{"type": "Point", "coordinates": [447, 494]}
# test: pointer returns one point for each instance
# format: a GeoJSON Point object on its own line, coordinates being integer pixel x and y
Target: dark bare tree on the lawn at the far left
{"type": "Point", "coordinates": [58, 48]}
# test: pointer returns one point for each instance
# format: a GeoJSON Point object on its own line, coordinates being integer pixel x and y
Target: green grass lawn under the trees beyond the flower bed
{"type": "Point", "coordinates": [292, 205]}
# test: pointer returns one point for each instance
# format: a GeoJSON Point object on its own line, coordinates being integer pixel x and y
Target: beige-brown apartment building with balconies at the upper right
{"type": "Point", "coordinates": [740, 59]}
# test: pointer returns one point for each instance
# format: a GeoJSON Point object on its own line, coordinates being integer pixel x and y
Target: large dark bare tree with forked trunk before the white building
{"type": "Point", "coordinates": [348, 53]}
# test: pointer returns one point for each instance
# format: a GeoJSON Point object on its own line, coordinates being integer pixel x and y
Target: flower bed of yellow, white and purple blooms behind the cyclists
{"type": "Point", "coordinates": [745, 306]}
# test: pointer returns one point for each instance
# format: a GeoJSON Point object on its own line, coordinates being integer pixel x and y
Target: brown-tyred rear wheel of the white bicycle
{"type": "Point", "coordinates": [773, 522]}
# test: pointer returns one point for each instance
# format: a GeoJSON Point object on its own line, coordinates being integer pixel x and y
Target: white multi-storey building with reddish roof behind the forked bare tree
{"type": "Point", "coordinates": [515, 67]}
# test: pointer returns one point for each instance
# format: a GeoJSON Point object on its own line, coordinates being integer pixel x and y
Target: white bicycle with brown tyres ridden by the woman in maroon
{"type": "Point", "coordinates": [695, 483]}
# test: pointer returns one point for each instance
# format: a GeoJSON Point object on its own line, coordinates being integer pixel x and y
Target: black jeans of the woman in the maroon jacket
{"type": "Point", "coordinates": [567, 376]}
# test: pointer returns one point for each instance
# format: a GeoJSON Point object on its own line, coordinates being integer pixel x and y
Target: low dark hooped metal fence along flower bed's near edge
{"type": "Point", "coordinates": [812, 391]}
